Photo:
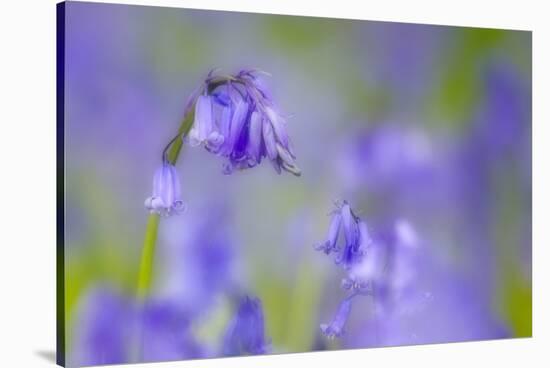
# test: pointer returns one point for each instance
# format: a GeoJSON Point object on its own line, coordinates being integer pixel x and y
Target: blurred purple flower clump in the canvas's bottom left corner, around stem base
{"type": "Point", "coordinates": [107, 327]}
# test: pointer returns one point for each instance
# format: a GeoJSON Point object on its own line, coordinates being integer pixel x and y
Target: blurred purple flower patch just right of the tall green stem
{"type": "Point", "coordinates": [199, 262]}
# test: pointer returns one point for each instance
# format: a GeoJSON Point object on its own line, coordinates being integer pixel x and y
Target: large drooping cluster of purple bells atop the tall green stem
{"type": "Point", "coordinates": [235, 118]}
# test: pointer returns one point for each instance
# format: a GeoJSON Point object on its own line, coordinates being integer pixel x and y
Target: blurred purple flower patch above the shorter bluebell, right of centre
{"type": "Point", "coordinates": [390, 158]}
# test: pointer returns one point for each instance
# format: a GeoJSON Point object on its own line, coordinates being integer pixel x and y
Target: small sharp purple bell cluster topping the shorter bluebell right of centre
{"type": "Point", "coordinates": [356, 236]}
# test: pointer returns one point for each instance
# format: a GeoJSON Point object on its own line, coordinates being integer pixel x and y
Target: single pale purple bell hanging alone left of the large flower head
{"type": "Point", "coordinates": [166, 198]}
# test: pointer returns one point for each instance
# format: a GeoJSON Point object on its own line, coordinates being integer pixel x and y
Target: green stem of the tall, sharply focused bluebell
{"type": "Point", "coordinates": [145, 274]}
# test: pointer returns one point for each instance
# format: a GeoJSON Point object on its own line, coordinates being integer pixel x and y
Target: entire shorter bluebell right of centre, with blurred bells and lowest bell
{"type": "Point", "coordinates": [381, 265]}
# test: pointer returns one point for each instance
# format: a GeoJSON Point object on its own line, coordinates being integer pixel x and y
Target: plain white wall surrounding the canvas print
{"type": "Point", "coordinates": [27, 180]}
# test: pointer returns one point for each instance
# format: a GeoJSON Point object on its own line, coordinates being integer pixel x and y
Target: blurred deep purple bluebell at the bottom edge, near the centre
{"type": "Point", "coordinates": [246, 331]}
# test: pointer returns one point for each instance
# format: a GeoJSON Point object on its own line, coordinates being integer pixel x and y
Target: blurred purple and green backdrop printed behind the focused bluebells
{"type": "Point", "coordinates": [419, 125]}
